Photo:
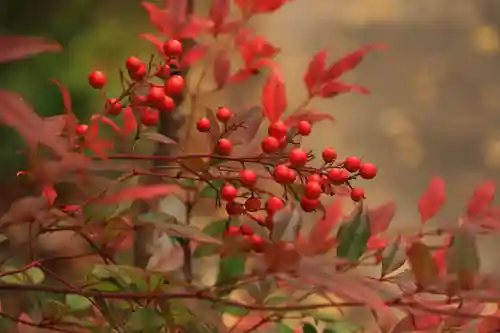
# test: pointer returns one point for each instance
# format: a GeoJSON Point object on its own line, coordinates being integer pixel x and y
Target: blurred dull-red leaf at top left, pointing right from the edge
{"type": "Point", "coordinates": [19, 47]}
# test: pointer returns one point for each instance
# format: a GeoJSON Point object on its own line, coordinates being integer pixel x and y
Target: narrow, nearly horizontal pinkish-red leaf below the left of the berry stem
{"type": "Point", "coordinates": [141, 193]}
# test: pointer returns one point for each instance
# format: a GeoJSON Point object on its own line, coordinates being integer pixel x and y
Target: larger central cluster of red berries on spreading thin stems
{"type": "Point", "coordinates": [289, 168]}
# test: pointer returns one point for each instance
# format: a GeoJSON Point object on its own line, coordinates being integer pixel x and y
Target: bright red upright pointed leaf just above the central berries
{"type": "Point", "coordinates": [274, 96]}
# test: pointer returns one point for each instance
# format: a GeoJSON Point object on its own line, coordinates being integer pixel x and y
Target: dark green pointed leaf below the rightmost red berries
{"type": "Point", "coordinates": [353, 237]}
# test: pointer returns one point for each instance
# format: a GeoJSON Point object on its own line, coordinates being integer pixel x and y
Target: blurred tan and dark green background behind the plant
{"type": "Point", "coordinates": [435, 102]}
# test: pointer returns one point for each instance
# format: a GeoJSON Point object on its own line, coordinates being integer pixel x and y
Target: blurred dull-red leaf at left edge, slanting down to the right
{"type": "Point", "coordinates": [18, 114]}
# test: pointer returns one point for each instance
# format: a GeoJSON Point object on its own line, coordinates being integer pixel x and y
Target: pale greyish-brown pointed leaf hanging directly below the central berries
{"type": "Point", "coordinates": [287, 223]}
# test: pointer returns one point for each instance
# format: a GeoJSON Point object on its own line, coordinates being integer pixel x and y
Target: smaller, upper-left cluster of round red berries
{"type": "Point", "coordinates": [160, 96]}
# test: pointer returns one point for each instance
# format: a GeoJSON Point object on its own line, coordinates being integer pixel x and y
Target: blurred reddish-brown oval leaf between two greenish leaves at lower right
{"type": "Point", "coordinates": [422, 264]}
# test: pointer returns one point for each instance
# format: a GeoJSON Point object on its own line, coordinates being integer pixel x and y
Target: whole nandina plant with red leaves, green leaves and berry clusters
{"type": "Point", "coordinates": [430, 280]}
